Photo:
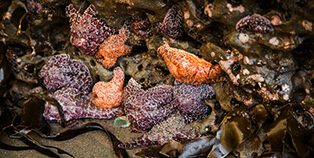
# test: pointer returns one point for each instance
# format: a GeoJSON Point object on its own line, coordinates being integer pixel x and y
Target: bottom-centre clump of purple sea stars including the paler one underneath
{"type": "Point", "coordinates": [153, 111]}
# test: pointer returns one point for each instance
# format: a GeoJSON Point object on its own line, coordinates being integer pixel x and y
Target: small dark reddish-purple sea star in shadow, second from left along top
{"type": "Point", "coordinates": [141, 27]}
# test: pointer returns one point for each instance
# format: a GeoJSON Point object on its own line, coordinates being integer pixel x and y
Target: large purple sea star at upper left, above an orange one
{"type": "Point", "coordinates": [87, 32]}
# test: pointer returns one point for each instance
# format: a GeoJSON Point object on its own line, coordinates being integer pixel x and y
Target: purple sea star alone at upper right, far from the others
{"type": "Point", "coordinates": [254, 23]}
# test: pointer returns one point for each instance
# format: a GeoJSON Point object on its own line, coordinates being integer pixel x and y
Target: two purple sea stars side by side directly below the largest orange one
{"type": "Point", "coordinates": [147, 108]}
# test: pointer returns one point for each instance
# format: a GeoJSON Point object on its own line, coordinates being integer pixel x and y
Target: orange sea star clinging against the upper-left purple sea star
{"type": "Point", "coordinates": [113, 47]}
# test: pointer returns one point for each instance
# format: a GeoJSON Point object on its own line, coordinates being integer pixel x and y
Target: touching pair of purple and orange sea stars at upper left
{"type": "Point", "coordinates": [88, 33]}
